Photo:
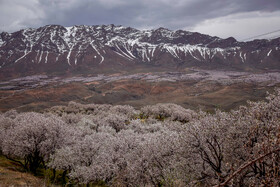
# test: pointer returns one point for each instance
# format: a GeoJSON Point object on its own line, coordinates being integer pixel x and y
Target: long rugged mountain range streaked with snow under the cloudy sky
{"type": "Point", "coordinates": [57, 48]}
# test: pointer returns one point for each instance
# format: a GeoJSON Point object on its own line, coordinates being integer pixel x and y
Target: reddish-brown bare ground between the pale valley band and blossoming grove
{"type": "Point", "coordinates": [205, 95]}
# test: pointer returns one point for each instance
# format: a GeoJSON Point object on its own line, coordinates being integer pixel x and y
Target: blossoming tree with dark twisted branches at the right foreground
{"type": "Point", "coordinates": [237, 148]}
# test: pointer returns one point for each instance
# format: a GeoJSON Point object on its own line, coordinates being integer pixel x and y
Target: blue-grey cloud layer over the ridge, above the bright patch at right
{"type": "Point", "coordinates": [17, 14]}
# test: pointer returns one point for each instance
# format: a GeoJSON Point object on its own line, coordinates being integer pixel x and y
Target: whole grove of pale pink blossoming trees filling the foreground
{"type": "Point", "coordinates": [158, 145]}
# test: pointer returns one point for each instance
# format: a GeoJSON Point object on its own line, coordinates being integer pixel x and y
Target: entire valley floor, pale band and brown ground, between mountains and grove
{"type": "Point", "coordinates": [195, 89]}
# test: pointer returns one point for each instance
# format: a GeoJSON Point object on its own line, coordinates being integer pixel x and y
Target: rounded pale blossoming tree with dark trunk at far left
{"type": "Point", "coordinates": [33, 137]}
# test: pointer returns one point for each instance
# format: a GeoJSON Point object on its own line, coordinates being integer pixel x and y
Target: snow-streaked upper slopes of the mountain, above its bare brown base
{"type": "Point", "coordinates": [71, 44]}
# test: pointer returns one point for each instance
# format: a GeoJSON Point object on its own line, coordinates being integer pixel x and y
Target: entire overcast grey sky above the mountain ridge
{"type": "Point", "coordinates": [224, 18]}
